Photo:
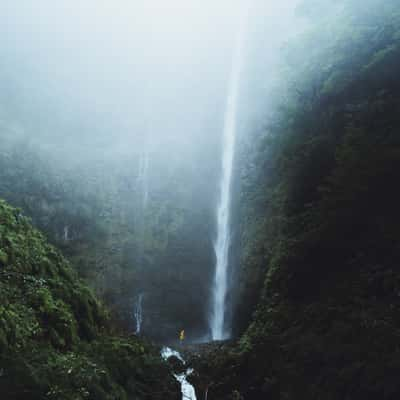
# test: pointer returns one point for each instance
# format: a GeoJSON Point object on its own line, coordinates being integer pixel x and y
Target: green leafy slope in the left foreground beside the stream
{"type": "Point", "coordinates": [54, 337]}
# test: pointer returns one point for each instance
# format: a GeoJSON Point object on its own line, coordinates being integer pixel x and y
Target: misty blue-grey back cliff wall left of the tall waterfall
{"type": "Point", "coordinates": [93, 213]}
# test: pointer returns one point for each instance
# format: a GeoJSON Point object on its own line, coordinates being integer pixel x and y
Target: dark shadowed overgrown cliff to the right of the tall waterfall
{"type": "Point", "coordinates": [321, 222]}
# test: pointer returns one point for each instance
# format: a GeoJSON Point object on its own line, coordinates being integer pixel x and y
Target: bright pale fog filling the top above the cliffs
{"type": "Point", "coordinates": [113, 73]}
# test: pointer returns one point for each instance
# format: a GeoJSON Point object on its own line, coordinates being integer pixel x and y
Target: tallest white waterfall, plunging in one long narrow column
{"type": "Point", "coordinates": [219, 330]}
